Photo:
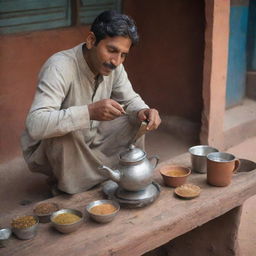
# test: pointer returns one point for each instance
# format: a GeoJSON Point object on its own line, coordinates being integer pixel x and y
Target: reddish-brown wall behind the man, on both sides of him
{"type": "Point", "coordinates": [165, 68]}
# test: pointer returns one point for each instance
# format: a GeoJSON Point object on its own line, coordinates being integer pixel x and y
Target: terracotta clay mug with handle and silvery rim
{"type": "Point", "coordinates": [220, 168]}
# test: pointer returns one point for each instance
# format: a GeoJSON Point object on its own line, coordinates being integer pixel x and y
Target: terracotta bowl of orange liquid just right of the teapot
{"type": "Point", "coordinates": [174, 175]}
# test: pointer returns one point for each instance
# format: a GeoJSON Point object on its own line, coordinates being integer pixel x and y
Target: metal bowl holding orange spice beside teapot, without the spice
{"type": "Point", "coordinates": [102, 218]}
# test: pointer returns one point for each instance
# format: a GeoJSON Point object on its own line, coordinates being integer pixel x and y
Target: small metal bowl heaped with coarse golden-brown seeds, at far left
{"type": "Point", "coordinates": [25, 227]}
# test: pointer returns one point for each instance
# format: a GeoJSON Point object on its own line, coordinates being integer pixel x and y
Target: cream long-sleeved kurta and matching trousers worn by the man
{"type": "Point", "coordinates": [59, 117]}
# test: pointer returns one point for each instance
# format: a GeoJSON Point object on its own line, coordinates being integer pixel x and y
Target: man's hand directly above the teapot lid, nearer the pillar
{"type": "Point", "coordinates": [152, 116]}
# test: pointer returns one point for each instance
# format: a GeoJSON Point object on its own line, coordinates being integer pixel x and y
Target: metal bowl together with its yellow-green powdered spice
{"type": "Point", "coordinates": [67, 220]}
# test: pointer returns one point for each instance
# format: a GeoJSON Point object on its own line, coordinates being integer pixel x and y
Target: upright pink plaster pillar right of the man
{"type": "Point", "coordinates": [215, 72]}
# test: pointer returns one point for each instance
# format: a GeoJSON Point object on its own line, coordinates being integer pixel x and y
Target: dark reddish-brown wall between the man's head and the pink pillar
{"type": "Point", "coordinates": [167, 65]}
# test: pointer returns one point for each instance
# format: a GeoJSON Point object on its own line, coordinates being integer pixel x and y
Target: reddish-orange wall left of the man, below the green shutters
{"type": "Point", "coordinates": [22, 55]}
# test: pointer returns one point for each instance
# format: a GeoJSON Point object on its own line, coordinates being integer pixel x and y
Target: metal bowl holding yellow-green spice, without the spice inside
{"type": "Point", "coordinates": [67, 228]}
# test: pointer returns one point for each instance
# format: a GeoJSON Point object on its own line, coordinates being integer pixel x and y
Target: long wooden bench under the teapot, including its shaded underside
{"type": "Point", "coordinates": [206, 225]}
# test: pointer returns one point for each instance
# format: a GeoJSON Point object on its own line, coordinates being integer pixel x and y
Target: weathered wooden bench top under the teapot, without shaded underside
{"type": "Point", "coordinates": [136, 231]}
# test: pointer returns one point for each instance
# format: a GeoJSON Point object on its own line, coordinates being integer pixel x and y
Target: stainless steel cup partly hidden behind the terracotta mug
{"type": "Point", "coordinates": [198, 157]}
